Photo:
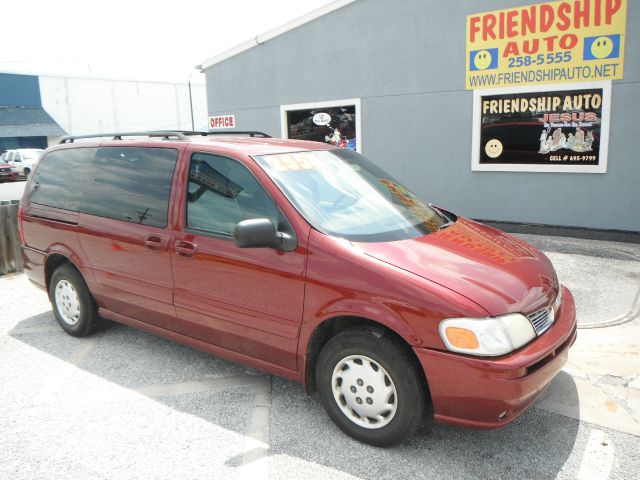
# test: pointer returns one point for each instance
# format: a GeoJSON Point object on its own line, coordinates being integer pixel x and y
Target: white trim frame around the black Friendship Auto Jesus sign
{"type": "Point", "coordinates": [604, 129]}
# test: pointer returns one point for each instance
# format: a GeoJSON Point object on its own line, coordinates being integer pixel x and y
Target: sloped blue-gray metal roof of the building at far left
{"type": "Point", "coordinates": [27, 122]}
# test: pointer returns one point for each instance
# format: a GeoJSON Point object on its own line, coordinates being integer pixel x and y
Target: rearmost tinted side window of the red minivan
{"type": "Point", "coordinates": [60, 178]}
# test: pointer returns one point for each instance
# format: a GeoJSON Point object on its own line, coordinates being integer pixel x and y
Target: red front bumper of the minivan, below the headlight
{"type": "Point", "coordinates": [481, 392]}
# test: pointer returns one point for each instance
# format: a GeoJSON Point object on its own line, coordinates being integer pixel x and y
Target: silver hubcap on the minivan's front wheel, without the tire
{"type": "Point", "coordinates": [364, 391]}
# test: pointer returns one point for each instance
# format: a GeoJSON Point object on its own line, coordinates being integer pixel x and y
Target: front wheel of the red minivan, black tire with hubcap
{"type": "Point", "coordinates": [401, 372]}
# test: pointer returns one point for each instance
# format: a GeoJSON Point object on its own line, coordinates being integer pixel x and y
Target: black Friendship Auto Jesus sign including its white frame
{"type": "Point", "coordinates": [540, 129]}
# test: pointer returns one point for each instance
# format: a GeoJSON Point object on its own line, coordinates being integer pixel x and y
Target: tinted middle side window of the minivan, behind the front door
{"type": "Point", "coordinates": [131, 184]}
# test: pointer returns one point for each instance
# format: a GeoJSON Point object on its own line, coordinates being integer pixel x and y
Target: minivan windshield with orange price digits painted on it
{"type": "Point", "coordinates": [343, 194]}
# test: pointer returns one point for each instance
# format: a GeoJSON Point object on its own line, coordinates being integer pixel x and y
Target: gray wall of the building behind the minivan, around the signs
{"type": "Point", "coordinates": [406, 61]}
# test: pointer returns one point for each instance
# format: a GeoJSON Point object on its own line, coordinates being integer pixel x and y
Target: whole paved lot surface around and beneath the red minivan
{"type": "Point", "coordinates": [124, 404]}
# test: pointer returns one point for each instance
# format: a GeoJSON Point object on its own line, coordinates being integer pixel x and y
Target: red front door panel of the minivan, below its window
{"type": "Point", "coordinates": [246, 300]}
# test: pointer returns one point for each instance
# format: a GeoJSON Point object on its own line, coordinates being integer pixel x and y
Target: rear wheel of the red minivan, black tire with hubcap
{"type": "Point", "coordinates": [86, 319]}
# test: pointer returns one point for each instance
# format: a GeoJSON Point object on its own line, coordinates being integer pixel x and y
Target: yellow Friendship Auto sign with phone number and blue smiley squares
{"type": "Point", "coordinates": [555, 42]}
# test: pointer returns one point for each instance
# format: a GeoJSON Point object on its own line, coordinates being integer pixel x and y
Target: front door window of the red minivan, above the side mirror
{"type": "Point", "coordinates": [223, 192]}
